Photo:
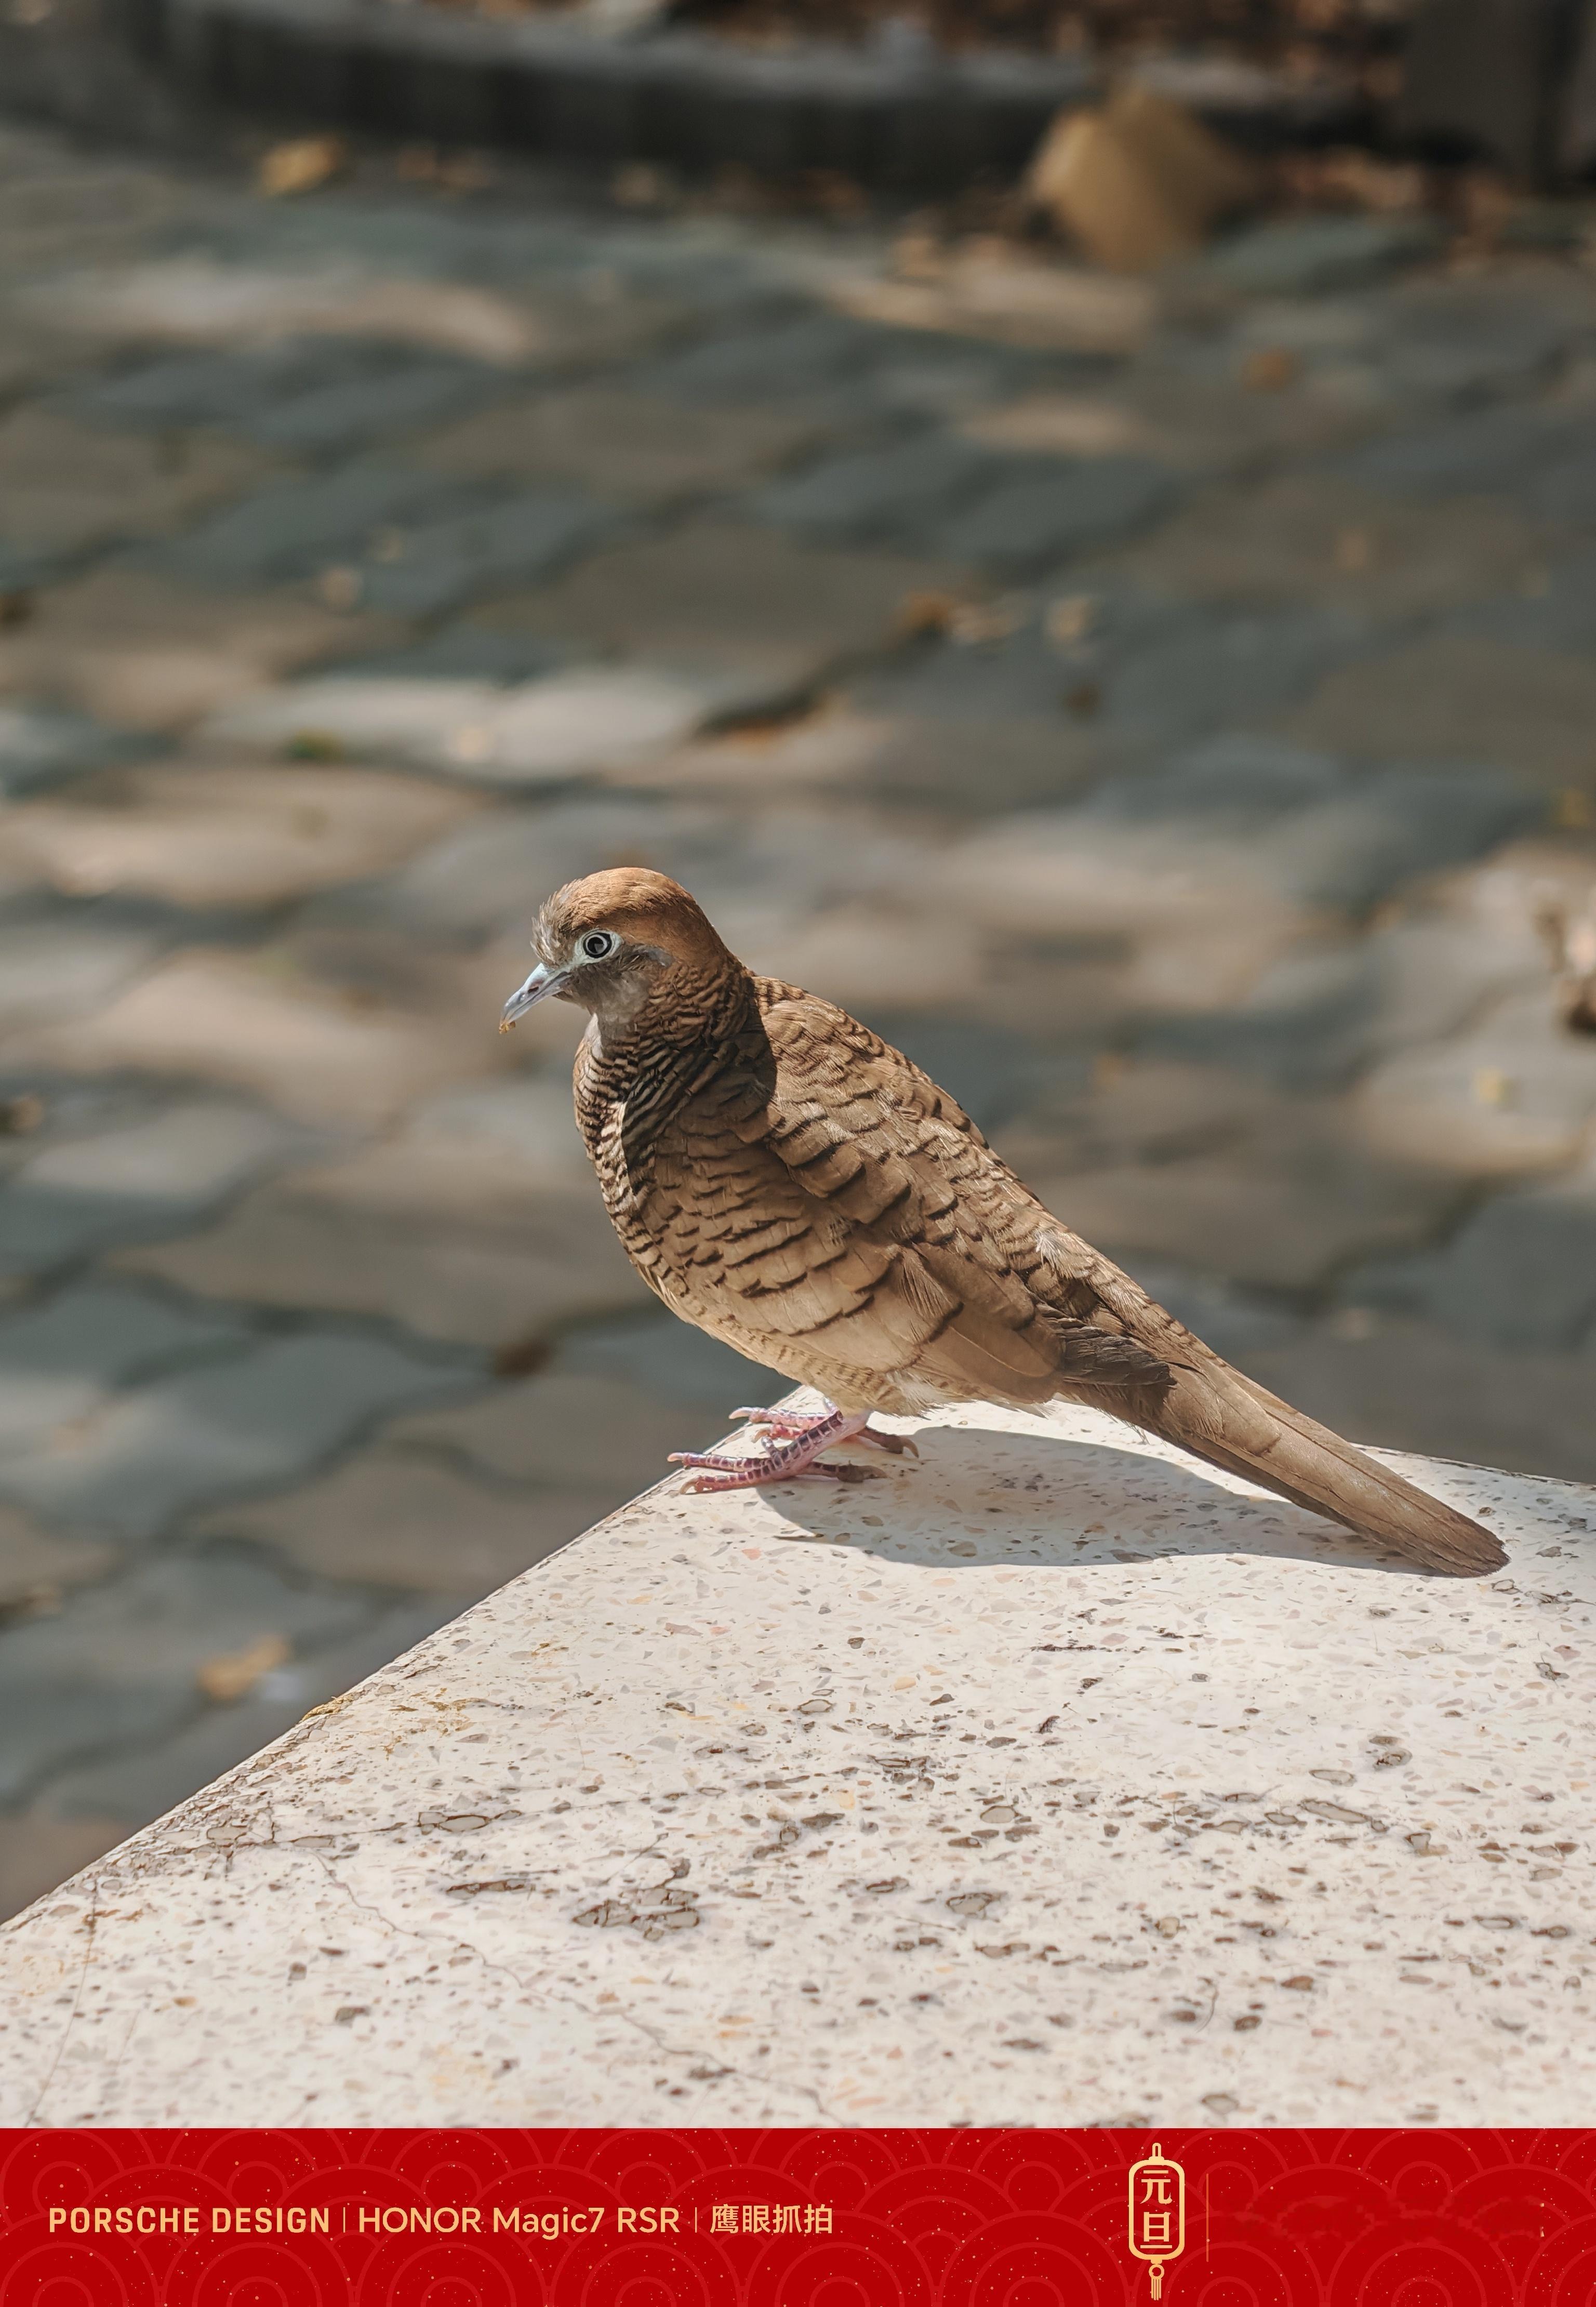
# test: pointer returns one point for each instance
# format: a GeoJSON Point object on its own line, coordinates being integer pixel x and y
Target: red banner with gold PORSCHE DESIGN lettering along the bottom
{"type": "Point", "coordinates": [797, 2218]}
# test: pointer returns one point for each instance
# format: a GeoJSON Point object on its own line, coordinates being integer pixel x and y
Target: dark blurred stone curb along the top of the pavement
{"type": "Point", "coordinates": [677, 98]}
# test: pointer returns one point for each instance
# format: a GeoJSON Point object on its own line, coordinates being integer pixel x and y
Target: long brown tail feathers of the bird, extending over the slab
{"type": "Point", "coordinates": [1235, 1425]}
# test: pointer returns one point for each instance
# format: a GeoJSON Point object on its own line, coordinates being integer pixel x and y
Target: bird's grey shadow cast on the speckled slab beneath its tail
{"type": "Point", "coordinates": [979, 1498]}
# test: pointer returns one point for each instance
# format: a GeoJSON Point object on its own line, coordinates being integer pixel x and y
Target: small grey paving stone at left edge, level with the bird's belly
{"type": "Point", "coordinates": [68, 1358]}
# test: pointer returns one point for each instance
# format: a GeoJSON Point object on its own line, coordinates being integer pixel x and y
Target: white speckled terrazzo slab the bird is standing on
{"type": "Point", "coordinates": [1041, 1780]}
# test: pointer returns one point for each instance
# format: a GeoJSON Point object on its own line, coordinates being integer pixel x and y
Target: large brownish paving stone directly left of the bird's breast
{"type": "Point", "coordinates": [453, 1231]}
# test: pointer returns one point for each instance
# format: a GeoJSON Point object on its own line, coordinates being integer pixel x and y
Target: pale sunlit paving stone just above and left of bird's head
{"type": "Point", "coordinates": [532, 732]}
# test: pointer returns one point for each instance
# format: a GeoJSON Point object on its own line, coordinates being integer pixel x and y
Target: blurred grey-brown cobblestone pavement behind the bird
{"type": "Point", "coordinates": [1166, 716]}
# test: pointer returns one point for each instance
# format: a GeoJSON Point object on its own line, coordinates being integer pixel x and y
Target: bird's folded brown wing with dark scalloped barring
{"type": "Point", "coordinates": [857, 1210]}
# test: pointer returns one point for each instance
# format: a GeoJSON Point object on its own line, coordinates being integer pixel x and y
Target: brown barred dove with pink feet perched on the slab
{"type": "Point", "coordinates": [799, 1189]}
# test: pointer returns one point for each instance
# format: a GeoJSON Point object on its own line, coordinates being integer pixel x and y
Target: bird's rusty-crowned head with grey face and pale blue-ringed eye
{"type": "Point", "coordinates": [612, 942]}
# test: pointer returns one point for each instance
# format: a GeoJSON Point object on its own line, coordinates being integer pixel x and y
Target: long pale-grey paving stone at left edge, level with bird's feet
{"type": "Point", "coordinates": [199, 1436]}
